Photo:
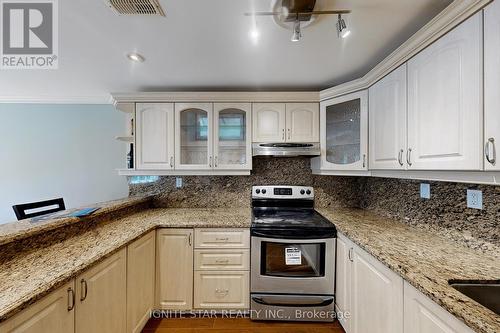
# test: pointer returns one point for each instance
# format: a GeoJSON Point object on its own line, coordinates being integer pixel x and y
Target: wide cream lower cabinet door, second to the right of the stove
{"type": "Point", "coordinates": [377, 296]}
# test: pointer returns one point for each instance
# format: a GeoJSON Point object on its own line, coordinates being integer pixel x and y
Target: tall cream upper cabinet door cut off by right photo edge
{"type": "Point", "coordinates": [491, 85]}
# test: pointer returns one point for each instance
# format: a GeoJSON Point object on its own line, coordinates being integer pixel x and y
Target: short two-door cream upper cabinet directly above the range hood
{"type": "Point", "coordinates": [285, 122]}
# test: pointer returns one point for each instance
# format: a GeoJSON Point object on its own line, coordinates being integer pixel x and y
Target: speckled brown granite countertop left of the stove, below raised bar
{"type": "Point", "coordinates": [28, 277]}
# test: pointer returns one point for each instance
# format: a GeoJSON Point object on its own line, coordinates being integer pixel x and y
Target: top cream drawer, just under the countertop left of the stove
{"type": "Point", "coordinates": [222, 238]}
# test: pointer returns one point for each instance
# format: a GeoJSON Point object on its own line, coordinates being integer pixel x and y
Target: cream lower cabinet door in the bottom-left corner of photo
{"type": "Point", "coordinates": [54, 313]}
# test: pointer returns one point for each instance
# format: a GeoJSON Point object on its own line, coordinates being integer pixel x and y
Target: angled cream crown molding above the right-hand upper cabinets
{"type": "Point", "coordinates": [457, 12]}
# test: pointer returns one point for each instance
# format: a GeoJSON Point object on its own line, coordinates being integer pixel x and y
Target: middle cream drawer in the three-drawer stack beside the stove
{"type": "Point", "coordinates": [216, 259]}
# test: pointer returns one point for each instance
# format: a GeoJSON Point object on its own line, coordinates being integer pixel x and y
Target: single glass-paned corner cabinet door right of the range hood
{"type": "Point", "coordinates": [344, 132]}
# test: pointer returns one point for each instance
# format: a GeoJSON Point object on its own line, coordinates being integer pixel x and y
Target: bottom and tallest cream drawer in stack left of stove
{"type": "Point", "coordinates": [221, 290]}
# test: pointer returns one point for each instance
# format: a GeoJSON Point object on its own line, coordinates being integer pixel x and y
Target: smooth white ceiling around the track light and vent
{"type": "Point", "coordinates": [205, 45]}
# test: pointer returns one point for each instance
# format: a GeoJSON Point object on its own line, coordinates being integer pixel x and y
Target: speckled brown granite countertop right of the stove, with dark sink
{"type": "Point", "coordinates": [425, 260]}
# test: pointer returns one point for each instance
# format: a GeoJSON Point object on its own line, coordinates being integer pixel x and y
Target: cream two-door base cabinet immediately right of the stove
{"type": "Point", "coordinates": [368, 291]}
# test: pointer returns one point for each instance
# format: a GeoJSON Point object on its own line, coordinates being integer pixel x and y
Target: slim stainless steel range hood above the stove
{"type": "Point", "coordinates": [285, 149]}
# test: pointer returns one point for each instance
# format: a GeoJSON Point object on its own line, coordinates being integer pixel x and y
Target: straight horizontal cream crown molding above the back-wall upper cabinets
{"type": "Point", "coordinates": [214, 96]}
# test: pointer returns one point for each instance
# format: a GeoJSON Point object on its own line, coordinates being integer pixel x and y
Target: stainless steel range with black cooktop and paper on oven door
{"type": "Point", "coordinates": [292, 256]}
